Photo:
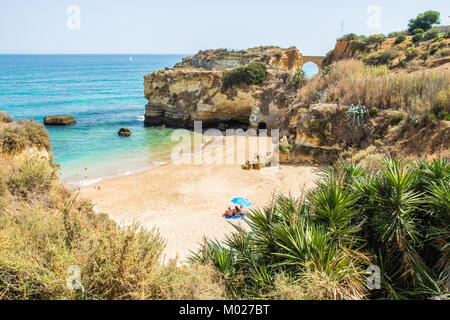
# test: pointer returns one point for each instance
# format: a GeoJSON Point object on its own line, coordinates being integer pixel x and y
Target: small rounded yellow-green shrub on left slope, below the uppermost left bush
{"type": "Point", "coordinates": [31, 177]}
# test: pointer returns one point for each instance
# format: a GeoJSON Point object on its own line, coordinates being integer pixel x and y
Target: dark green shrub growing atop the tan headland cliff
{"type": "Point", "coordinates": [254, 73]}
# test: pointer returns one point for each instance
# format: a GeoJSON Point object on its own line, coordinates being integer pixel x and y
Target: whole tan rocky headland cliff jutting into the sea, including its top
{"type": "Point", "coordinates": [193, 90]}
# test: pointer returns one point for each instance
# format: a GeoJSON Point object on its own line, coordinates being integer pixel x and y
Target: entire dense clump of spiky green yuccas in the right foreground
{"type": "Point", "coordinates": [399, 215]}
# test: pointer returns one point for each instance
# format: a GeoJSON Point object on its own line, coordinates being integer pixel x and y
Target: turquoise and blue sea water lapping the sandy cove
{"type": "Point", "coordinates": [104, 93]}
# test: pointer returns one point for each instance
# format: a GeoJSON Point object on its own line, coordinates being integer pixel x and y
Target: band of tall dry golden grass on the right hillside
{"type": "Point", "coordinates": [352, 82]}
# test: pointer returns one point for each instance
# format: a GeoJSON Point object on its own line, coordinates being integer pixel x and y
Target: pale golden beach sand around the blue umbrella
{"type": "Point", "coordinates": [186, 201]}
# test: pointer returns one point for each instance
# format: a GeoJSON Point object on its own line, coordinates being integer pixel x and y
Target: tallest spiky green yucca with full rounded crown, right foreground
{"type": "Point", "coordinates": [396, 208]}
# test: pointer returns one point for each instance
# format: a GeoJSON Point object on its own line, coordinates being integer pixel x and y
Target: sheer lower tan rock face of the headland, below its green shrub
{"type": "Point", "coordinates": [180, 96]}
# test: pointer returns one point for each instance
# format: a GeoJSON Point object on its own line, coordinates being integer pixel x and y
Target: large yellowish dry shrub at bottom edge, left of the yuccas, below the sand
{"type": "Point", "coordinates": [119, 263]}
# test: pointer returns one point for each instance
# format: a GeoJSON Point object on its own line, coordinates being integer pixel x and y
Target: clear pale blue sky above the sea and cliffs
{"type": "Point", "coordinates": [183, 26]}
